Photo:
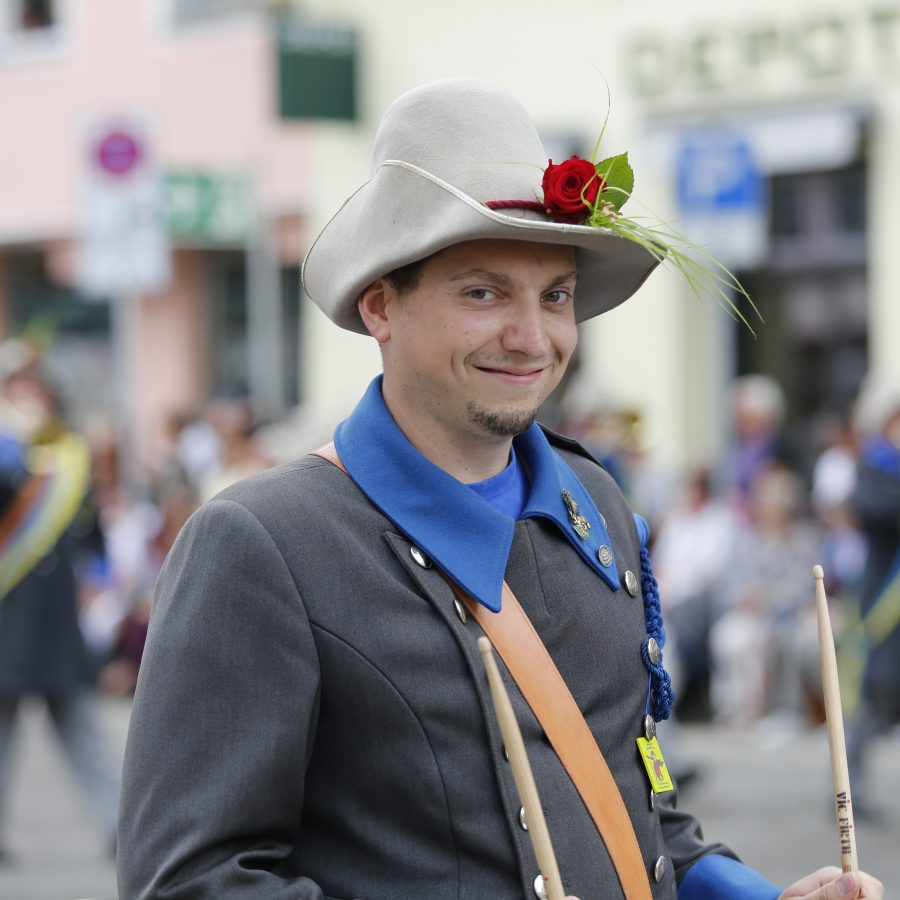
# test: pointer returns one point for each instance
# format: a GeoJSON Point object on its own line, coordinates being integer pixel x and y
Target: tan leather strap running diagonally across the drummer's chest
{"type": "Point", "coordinates": [551, 701]}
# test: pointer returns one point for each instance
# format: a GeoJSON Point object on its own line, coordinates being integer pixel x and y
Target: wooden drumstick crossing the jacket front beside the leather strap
{"type": "Point", "coordinates": [518, 759]}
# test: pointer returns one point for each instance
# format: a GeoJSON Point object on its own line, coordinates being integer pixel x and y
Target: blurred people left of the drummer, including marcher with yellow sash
{"type": "Point", "coordinates": [82, 540]}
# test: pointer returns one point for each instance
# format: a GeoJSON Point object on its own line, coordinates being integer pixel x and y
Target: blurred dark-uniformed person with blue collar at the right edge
{"type": "Point", "coordinates": [876, 501]}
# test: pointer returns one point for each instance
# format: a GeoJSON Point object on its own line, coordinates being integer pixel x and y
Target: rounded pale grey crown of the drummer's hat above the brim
{"type": "Point", "coordinates": [468, 132]}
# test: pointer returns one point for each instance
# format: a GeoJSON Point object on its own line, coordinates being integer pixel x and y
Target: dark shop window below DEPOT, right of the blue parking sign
{"type": "Point", "coordinates": [813, 292]}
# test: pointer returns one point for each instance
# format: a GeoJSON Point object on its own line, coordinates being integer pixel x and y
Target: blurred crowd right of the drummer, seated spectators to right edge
{"type": "Point", "coordinates": [734, 547]}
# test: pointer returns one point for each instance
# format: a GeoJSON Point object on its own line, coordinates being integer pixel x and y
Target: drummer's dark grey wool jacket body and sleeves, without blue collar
{"type": "Point", "coordinates": [312, 718]}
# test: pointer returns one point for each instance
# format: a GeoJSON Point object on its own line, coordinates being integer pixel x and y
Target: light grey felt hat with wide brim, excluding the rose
{"type": "Point", "coordinates": [442, 151]}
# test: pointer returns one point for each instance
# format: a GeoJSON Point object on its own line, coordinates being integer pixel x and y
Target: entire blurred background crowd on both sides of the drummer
{"type": "Point", "coordinates": [734, 547]}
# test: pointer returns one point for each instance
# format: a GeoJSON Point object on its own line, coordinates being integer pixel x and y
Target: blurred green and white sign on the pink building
{"type": "Point", "coordinates": [210, 207]}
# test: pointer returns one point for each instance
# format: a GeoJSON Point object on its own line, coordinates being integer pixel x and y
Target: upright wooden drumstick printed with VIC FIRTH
{"type": "Point", "coordinates": [834, 717]}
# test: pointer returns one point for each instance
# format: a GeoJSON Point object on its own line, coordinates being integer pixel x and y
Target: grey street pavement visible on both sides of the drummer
{"type": "Point", "coordinates": [766, 794]}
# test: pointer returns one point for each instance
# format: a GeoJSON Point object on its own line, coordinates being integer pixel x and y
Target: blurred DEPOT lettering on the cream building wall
{"type": "Point", "coordinates": [824, 45]}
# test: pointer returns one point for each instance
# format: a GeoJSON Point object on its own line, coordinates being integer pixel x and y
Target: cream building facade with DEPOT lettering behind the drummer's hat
{"type": "Point", "coordinates": [766, 133]}
